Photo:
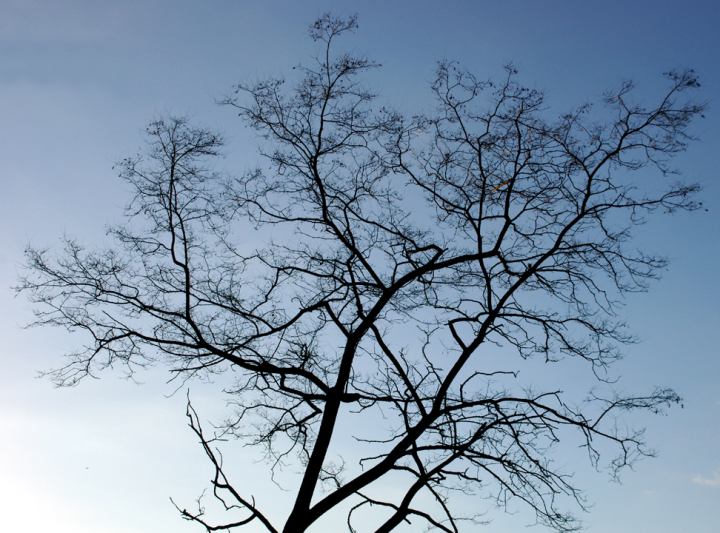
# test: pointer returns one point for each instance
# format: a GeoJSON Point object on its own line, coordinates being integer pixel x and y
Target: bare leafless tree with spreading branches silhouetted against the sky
{"type": "Point", "coordinates": [404, 250]}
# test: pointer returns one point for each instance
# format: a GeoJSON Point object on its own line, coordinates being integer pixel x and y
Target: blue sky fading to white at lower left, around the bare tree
{"type": "Point", "coordinates": [79, 80]}
